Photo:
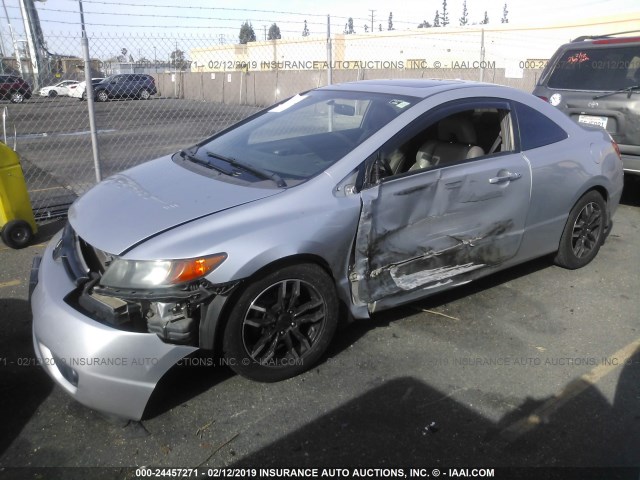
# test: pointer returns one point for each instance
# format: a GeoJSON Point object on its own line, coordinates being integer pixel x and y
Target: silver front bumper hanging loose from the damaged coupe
{"type": "Point", "coordinates": [106, 369]}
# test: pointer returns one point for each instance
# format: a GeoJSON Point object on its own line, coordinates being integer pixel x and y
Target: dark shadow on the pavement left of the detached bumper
{"type": "Point", "coordinates": [23, 383]}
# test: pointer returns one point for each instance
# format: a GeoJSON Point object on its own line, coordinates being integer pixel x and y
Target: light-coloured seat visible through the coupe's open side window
{"type": "Point", "coordinates": [457, 140]}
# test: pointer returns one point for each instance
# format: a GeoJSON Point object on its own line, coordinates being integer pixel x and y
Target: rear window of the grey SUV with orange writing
{"type": "Point", "coordinates": [602, 69]}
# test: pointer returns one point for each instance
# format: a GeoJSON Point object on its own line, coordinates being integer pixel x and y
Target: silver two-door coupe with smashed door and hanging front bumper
{"type": "Point", "coordinates": [339, 201]}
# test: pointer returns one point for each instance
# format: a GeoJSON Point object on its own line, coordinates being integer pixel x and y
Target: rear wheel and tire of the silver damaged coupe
{"type": "Point", "coordinates": [584, 232]}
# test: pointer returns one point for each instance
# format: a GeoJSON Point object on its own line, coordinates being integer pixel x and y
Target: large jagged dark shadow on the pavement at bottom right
{"type": "Point", "coordinates": [406, 423]}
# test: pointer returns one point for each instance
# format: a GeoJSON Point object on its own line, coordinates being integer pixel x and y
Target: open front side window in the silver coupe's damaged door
{"type": "Point", "coordinates": [438, 140]}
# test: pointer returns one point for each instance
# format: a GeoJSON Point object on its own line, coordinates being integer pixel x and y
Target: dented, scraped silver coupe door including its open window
{"type": "Point", "coordinates": [448, 217]}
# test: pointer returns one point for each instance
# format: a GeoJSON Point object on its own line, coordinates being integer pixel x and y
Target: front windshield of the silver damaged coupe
{"type": "Point", "coordinates": [304, 135]}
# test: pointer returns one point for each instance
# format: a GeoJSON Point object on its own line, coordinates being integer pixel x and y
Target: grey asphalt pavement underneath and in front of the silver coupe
{"type": "Point", "coordinates": [534, 366]}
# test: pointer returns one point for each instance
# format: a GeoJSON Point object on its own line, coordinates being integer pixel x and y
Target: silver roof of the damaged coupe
{"type": "Point", "coordinates": [421, 88]}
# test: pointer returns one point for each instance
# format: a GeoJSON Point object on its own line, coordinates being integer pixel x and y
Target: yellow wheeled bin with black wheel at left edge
{"type": "Point", "coordinates": [16, 215]}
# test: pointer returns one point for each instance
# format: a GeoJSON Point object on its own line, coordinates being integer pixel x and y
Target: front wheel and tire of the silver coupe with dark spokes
{"type": "Point", "coordinates": [281, 323]}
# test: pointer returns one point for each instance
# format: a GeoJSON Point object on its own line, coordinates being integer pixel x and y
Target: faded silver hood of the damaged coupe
{"type": "Point", "coordinates": [129, 207]}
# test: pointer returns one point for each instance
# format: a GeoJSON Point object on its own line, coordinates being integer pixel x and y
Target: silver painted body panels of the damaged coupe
{"type": "Point", "coordinates": [367, 242]}
